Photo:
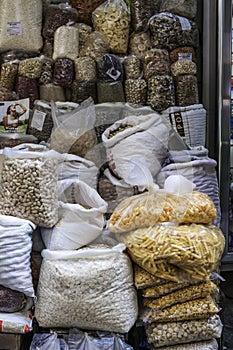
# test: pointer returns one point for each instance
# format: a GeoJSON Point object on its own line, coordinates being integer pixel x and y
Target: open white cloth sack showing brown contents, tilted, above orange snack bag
{"type": "Point", "coordinates": [136, 143]}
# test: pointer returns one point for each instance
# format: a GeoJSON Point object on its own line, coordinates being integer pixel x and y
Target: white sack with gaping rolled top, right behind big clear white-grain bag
{"type": "Point", "coordinates": [81, 217]}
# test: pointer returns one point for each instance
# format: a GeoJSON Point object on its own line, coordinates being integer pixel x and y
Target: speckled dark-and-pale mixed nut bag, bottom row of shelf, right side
{"type": "Point", "coordinates": [161, 92]}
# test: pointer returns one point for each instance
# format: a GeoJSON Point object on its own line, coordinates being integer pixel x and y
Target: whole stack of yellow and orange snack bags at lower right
{"type": "Point", "coordinates": [171, 237]}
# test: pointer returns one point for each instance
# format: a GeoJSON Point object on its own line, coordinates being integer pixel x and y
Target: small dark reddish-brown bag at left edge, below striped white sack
{"type": "Point", "coordinates": [10, 300]}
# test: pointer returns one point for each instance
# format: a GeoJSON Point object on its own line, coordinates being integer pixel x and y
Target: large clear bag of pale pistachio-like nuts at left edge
{"type": "Point", "coordinates": [29, 186]}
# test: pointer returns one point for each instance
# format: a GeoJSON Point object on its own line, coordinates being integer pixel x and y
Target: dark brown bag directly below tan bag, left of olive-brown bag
{"type": "Point", "coordinates": [82, 90]}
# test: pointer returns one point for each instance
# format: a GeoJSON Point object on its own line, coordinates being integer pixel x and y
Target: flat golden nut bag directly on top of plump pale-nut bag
{"type": "Point", "coordinates": [190, 310]}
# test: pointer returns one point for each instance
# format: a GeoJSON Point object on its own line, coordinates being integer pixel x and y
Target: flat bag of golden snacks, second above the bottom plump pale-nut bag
{"type": "Point", "coordinates": [182, 295]}
